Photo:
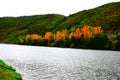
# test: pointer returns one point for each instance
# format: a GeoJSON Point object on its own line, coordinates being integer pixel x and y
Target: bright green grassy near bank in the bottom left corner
{"type": "Point", "coordinates": [8, 73]}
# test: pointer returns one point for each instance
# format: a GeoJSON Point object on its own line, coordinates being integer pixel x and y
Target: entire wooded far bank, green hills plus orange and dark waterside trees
{"type": "Point", "coordinates": [84, 29]}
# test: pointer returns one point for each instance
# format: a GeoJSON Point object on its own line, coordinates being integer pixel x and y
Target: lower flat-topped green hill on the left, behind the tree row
{"type": "Point", "coordinates": [39, 24]}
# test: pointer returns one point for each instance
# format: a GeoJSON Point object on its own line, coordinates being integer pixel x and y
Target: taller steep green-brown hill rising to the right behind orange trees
{"type": "Point", "coordinates": [106, 16]}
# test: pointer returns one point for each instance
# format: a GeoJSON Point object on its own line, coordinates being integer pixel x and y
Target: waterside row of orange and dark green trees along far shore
{"type": "Point", "coordinates": [87, 37]}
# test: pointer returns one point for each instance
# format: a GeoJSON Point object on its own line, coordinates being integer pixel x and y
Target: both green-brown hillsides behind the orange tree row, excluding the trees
{"type": "Point", "coordinates": [107, 16]}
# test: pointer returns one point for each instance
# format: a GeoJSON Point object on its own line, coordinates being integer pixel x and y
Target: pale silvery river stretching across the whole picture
{"type": "Point", "coordinates": [45, 63]}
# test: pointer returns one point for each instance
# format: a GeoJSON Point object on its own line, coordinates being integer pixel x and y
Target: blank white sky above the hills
{"type": "Point", "coordinates": [36, 7]}
